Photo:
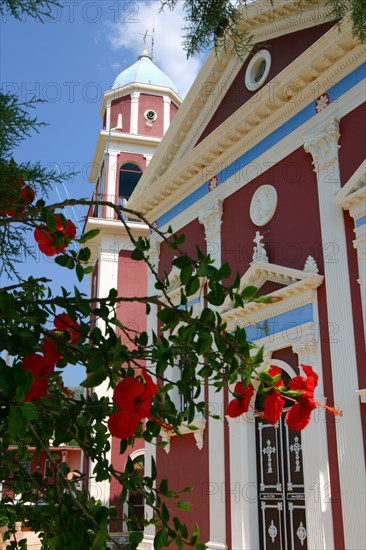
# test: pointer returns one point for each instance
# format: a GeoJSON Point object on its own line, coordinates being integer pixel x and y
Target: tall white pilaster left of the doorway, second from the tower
{"type": "Point", "coordinates": [216, 449]}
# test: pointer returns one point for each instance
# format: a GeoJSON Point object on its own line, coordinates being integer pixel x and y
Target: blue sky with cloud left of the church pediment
{"type": "Point", "coordinates": [70, 62]}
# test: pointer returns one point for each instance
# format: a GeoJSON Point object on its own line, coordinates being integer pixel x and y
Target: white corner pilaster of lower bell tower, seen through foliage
{"type": "Point", "coordinates": [107, 279]}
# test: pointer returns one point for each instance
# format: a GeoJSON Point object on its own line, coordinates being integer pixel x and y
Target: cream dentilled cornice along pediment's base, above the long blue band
{"type": "Point", "coordinates": [253, 121]}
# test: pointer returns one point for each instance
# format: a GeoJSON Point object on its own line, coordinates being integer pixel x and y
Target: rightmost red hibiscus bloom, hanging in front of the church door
{"type": "Point", "coordinates": [298, 417]}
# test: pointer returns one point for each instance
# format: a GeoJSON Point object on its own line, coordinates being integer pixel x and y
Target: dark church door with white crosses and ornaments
{"type": "Point", "coordinates": [281, 498]}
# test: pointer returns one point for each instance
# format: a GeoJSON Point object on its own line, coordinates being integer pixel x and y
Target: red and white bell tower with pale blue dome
{"type": "Point", "coordinates": [135, 113]}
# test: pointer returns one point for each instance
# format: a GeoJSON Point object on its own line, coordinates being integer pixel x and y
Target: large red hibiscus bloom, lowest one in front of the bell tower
{"type": "Point", "coordinates": [133, 400]}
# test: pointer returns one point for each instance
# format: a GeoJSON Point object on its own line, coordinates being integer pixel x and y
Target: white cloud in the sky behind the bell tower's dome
{"type": "Point", "coordinates": [168, 52]}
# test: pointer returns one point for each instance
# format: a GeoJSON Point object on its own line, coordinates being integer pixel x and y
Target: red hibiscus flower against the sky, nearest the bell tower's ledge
{"type": "Point", "coordinates": [55, 241]}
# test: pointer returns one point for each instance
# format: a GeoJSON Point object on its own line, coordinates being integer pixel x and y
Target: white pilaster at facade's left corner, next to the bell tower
{"type": "Point", "coordinates": [150, 449]}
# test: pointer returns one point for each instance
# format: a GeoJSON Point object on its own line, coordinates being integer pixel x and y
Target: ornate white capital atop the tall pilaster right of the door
{"type": "Point", "coordinates": [323, 145]}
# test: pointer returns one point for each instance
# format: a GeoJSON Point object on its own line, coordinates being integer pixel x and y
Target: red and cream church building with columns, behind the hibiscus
{"type": "Point", "coordinates": [262, 167]}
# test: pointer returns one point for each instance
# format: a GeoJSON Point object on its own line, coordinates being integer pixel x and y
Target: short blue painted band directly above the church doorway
{"type": "Point", "coordinates": [282, 323]}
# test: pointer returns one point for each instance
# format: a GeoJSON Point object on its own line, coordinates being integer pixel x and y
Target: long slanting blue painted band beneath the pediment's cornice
{"type": "Point", "coordinates": [291, 125]}
